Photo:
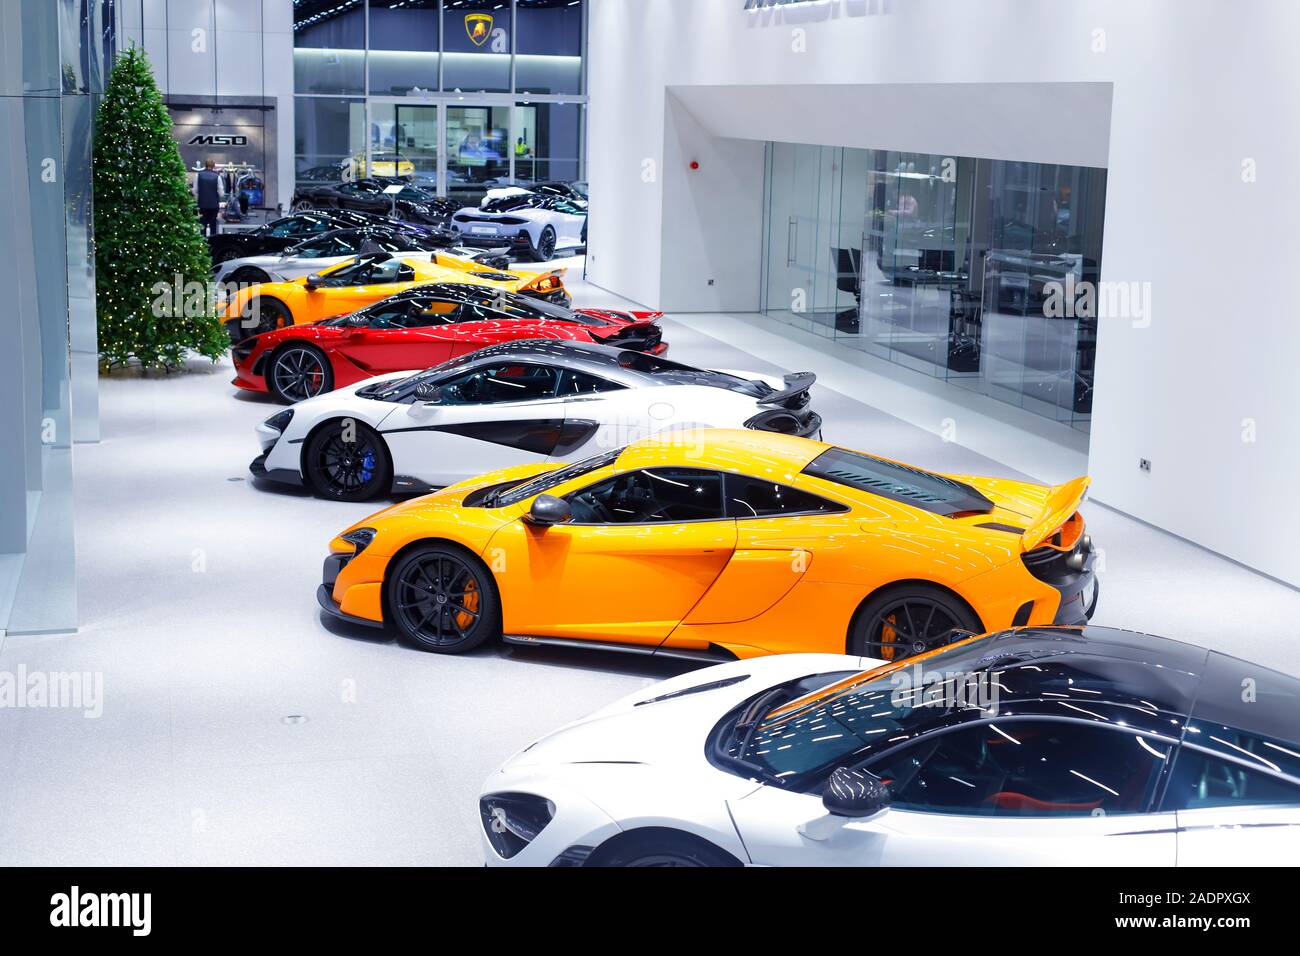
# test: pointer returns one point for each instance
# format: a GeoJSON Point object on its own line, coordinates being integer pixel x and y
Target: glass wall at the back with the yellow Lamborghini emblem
{"type": "Point", "coordinates": [463, 94]}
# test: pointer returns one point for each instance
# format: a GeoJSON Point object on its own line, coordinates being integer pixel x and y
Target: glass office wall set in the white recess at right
{"type": "Point", "coordinates": [963, 269]}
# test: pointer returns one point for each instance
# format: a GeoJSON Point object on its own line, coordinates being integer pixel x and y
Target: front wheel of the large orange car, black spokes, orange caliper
{"type": "Point", "coordinates": [440, 598]}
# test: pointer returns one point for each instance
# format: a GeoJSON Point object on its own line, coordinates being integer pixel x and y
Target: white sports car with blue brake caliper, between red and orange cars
{"type": "Point", "coordinates": [522, 403]}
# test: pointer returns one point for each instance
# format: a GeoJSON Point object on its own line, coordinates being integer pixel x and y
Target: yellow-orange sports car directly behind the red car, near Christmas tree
{"type": "Point", "coordinates": [362, 280]}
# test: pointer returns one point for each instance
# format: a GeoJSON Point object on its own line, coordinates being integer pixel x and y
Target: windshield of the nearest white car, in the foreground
{"type": "Point", "coordinates": [796, 736]}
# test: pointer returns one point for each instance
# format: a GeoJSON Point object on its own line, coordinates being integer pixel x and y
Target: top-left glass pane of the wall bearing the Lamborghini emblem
{"type": "Point", "coordinates": [330, 46]}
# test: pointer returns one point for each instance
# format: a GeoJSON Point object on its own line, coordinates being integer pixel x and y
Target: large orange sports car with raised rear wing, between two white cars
{"type": "Point", "coordinates": [718, 544]}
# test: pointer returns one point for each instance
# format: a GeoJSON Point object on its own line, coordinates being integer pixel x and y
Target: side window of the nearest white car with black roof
{"type": "Point", "coordinates": [1026, 769]}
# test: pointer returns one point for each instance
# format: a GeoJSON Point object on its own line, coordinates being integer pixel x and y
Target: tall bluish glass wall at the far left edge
{"type": "Point", "coordinates": [51, 76]}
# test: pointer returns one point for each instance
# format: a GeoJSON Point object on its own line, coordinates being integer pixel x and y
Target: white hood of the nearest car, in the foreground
{"type": "Point", "coordinates": [644, 729]}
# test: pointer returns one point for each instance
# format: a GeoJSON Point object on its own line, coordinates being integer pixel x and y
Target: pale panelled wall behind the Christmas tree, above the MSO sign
{"type": "Point", "coordinates": [246, 50]}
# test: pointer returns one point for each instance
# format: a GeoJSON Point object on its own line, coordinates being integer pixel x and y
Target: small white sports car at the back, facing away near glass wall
{"type": "Point", "coordinates": [535, 224]}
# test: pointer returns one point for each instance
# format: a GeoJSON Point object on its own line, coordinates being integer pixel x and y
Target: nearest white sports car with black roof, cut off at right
{"type": "Point", "coordinates": [1028, 747]}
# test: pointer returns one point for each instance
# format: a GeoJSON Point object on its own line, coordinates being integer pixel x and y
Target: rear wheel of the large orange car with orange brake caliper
{"type": "Point", "coordinates": [902, 622]}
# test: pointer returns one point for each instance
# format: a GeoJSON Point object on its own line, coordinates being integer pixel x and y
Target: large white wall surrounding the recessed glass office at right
{"type": "Point", "coordinates": [1195, 89]}
